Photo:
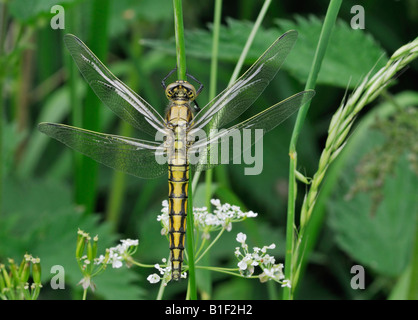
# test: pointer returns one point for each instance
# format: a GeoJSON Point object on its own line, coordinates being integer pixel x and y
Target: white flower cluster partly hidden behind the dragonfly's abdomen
{"type": "Point", "coordinates": [222, 217]}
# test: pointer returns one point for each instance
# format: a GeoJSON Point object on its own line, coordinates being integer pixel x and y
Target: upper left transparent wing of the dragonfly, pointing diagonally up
{"type": "Point", "coordinates": [112, 92]}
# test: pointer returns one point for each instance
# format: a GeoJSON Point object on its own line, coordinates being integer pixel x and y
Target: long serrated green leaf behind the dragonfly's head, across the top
{"type": "Point", "coordinates": [350, 55]}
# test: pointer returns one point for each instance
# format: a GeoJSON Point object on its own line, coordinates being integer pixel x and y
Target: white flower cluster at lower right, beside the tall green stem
{"type": "Point", "coordinates": [259, 257]}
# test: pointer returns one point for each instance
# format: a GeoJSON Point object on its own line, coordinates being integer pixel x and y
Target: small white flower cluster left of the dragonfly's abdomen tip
{"type": "Point", "coordinates": [116, 255]}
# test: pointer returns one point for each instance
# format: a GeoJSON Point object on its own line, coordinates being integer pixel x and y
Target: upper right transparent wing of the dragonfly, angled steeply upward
{"type": "Point", "coordinates": [237, 98]}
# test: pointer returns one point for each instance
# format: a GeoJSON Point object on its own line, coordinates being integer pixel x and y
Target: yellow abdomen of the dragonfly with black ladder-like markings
{"type": "Point", "coordinates": [178, 183]}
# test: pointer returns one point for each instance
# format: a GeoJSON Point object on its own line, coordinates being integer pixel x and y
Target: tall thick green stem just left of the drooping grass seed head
{"type": "Point", "coordinates": [330, 18]}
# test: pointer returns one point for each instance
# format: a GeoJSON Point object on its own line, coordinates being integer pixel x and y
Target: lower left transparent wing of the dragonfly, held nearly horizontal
{"type": "Point", "coordinates": [133, 156]}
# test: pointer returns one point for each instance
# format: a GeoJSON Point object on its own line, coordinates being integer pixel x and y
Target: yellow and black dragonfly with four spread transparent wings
{"type": "Point", "coordinates": [184, 121]}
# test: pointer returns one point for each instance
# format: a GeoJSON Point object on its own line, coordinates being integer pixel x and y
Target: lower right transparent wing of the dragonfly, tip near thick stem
{"type": "Point", "coordinates": [216, 148]}
